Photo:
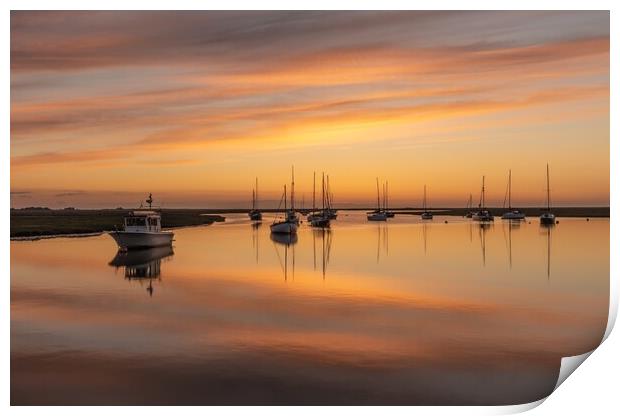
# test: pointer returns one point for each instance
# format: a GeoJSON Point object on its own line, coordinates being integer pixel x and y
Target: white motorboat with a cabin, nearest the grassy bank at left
{"type": "Point", "coordinates": [142, 229]}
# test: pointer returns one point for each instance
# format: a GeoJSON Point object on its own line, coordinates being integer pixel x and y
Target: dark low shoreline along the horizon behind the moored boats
{"type": "Point", "coordinates": [33, 224]}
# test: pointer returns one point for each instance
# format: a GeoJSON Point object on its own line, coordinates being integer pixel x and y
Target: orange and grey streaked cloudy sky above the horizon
{"type": "Point", "coordinates": [192, 106]}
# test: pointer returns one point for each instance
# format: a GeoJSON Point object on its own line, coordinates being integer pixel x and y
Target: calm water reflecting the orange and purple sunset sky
{"type": "Point", "coordinates": [366, 313]}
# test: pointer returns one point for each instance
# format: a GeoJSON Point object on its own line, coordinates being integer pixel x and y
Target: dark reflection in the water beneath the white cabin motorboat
{"type": "Point", "coordinates": [142, 265]}
